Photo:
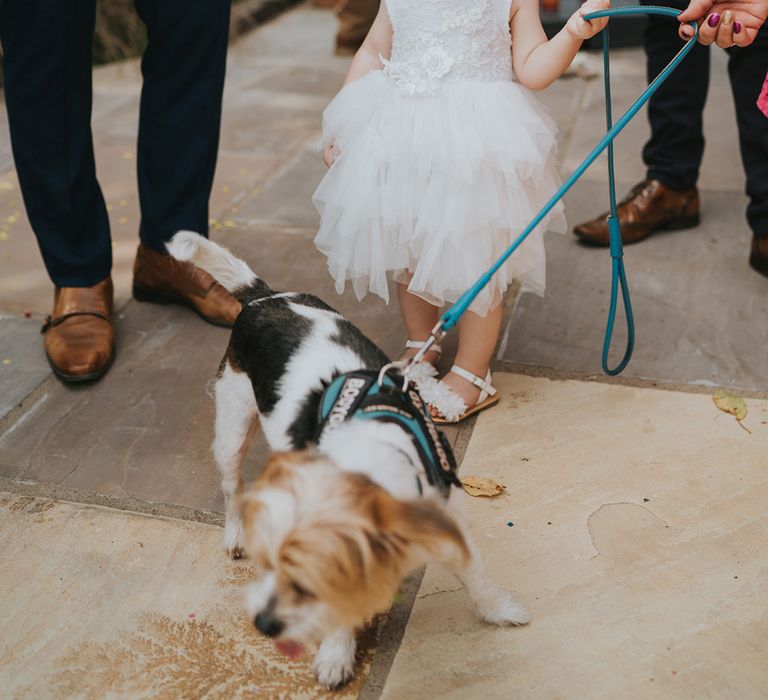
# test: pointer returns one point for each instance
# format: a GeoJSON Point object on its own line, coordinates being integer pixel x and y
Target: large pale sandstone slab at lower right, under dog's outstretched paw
{"type": "Point", "coordinates": [638, 543]}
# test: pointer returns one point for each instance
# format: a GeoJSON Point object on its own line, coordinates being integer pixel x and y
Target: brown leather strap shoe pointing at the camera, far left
{"type": "Point", "coordinates": [79, 338]}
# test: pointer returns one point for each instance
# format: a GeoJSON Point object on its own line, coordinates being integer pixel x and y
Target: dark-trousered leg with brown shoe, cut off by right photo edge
{"type": "Point", "coordinates": [747, 68]}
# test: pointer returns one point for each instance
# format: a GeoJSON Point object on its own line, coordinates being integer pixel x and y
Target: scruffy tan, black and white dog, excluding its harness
{"type": "Point", "coordinates": [334, 523]}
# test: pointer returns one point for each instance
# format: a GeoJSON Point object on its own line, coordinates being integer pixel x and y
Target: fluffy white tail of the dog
{"type": "Point", "coordinates": [232, 273]}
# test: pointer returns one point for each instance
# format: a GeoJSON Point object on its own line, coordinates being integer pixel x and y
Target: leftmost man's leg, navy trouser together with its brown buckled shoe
{"type": "Point", "coordinates": [47, 63]}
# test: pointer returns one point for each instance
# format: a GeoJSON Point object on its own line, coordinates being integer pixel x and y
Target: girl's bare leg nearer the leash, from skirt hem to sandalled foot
{"type": "Point", "coordinates": [478, 336]}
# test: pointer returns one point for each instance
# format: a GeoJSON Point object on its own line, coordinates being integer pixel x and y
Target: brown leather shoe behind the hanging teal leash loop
{"type": "Point", "coordinates": [649, 207]}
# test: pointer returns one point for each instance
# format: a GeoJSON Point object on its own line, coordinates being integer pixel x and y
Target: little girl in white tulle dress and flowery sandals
{"type": "Point", "coordinates": [439, 157]}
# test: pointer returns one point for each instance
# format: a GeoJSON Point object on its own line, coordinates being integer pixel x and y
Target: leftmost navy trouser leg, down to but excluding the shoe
{"type": "Point", "coordinates": [47, 48]}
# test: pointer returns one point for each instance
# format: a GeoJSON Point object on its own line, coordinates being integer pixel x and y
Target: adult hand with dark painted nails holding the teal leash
{"type": "Point", "coordinates": [724, 22]}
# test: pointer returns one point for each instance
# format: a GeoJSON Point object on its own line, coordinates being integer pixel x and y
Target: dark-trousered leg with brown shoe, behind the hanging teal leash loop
{"type": "Point", "coordinates": [667, 198]}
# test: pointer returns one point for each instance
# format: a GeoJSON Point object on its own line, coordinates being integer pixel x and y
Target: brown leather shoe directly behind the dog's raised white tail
{"type": "Point", "coordinates": [159, 279]}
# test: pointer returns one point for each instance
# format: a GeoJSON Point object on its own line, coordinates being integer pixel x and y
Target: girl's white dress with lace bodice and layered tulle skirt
{"type": "Point", "coordinates": [443, 161]}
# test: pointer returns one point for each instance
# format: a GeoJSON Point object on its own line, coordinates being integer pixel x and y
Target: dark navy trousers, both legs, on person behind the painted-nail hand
{"type": "Point", "coordinates": [674, 152]}
